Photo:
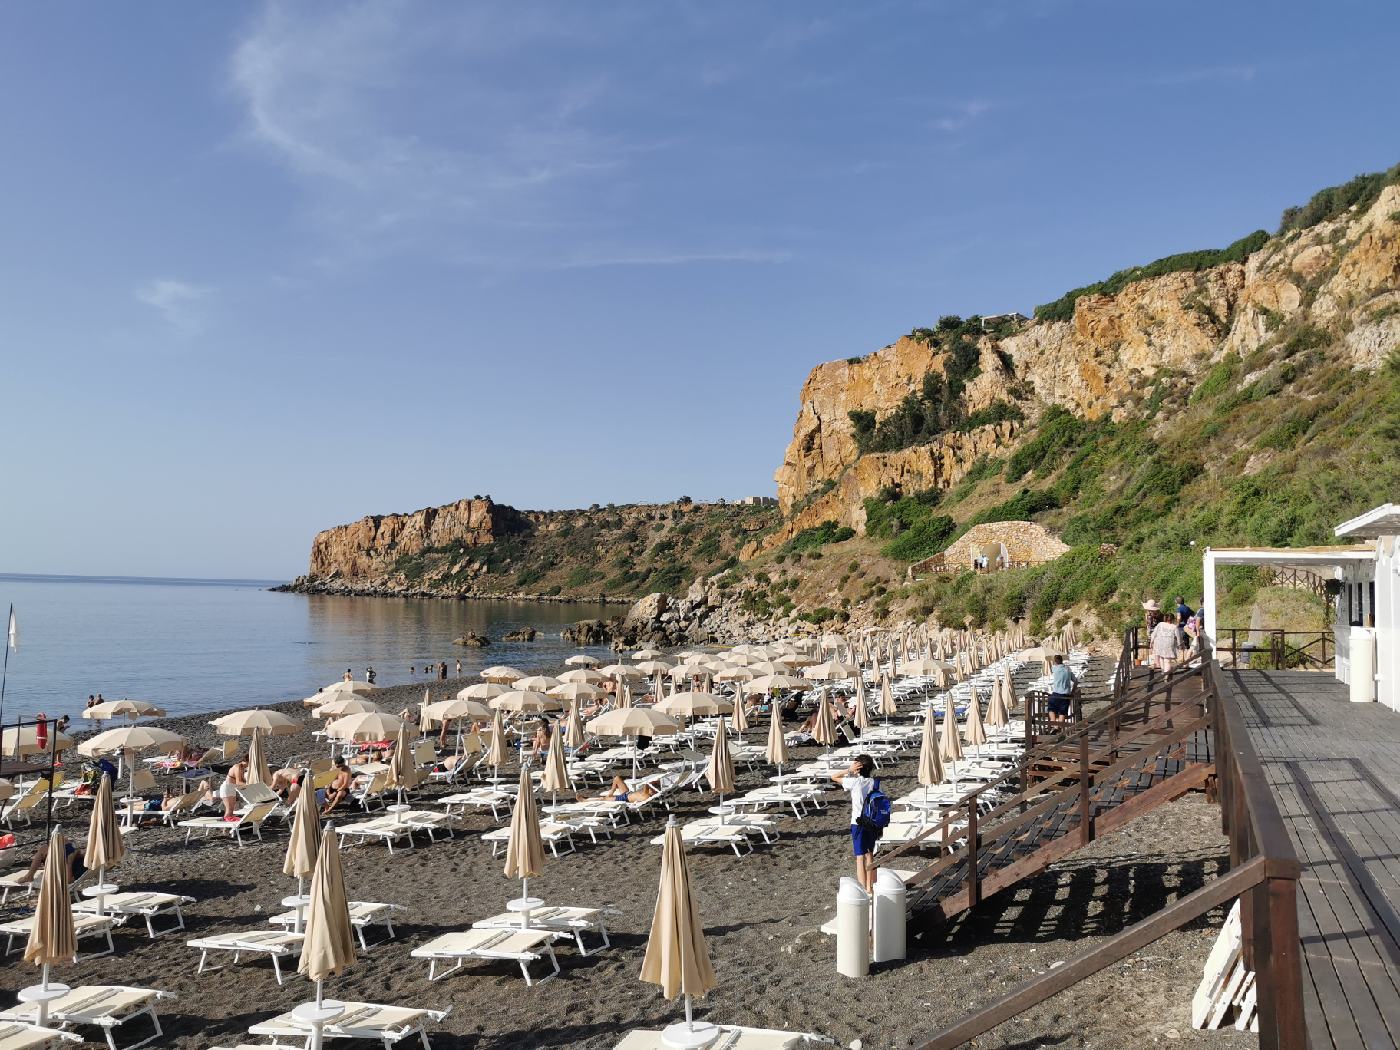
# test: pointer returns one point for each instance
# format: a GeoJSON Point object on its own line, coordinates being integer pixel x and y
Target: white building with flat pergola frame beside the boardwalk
{"type": "Point", "coordinates": [1367, 631]}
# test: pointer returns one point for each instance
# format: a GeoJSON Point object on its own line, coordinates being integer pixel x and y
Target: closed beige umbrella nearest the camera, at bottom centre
{"type": "Point", "coordinates": [677, 957]}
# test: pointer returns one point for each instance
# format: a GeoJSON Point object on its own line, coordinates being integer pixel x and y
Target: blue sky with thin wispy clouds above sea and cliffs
{"type": "Point", "coordinates": [268, 269]}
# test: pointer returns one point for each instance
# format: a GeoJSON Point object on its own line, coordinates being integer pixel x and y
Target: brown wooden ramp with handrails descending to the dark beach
{"type": "Point", "coordinates": [1150, 747]}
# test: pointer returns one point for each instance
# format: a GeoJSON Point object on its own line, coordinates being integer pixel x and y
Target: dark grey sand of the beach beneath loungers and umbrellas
{"type": "Point", "coordinates": [761, 915]}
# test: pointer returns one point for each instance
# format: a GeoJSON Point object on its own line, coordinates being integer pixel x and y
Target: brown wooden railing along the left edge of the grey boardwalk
{"type": "Point", "coordinates": [1263, 876]}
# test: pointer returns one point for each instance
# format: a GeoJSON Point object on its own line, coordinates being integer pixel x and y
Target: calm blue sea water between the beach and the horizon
{"type": "Point", "coordinates": [199, 645]}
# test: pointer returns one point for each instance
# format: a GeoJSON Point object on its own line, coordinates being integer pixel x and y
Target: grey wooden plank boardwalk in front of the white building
{"type": "Point", "coordinates": [1335, 768]}
